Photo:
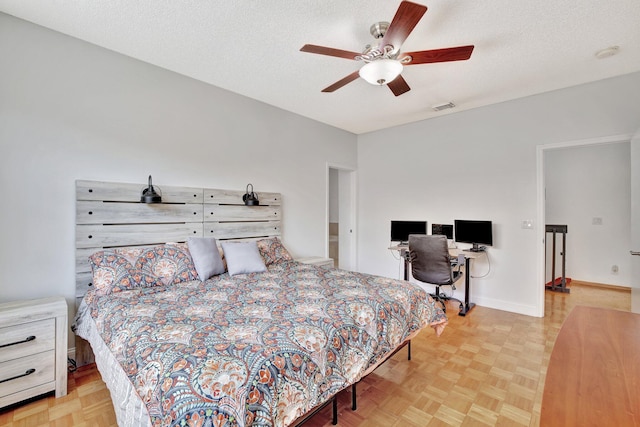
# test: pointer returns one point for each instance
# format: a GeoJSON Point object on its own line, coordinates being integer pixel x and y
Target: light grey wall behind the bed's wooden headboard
{"type": "Point", "coordinates": [70, 110]}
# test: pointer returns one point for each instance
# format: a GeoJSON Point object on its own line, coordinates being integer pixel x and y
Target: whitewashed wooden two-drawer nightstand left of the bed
{"type": "Point", "coordinates": [33, 349]}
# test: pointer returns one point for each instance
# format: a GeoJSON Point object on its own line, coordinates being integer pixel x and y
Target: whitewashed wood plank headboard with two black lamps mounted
{"type": "Point", "coordinates": [110, 215]}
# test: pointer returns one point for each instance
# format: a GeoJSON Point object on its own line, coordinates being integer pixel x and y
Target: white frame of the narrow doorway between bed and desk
{"type": "Point", "coordinates": [352, 188]}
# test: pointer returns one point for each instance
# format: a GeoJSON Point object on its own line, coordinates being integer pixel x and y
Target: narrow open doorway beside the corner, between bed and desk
{"type": "Point", "coordinates": [341, 216]}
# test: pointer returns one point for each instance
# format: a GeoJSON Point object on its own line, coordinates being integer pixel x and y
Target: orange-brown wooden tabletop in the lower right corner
{"type": "Point", "coordinates": [594, 370]}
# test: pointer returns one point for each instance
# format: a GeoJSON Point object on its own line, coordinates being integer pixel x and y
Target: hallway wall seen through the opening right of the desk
{"type": "Point", "coordinates": [583, 183]}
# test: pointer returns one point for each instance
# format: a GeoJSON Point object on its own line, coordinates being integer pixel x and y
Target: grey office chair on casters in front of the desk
{"type": "Point", "coordinates": [431, 263]}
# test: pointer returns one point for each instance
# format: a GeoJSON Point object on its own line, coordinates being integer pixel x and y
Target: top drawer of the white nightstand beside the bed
{"type": "Point", "coordinates": [27, 338]}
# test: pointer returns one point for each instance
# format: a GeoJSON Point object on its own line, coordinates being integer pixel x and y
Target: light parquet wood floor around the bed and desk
{"type": "Point", "coordinates": [487, 369]}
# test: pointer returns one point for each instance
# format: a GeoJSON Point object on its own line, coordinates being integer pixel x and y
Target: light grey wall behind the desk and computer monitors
{"type": "Point", "coordinates": [481, 164]}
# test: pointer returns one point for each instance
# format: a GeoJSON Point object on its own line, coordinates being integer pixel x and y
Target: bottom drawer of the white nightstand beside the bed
{"type": "Point", "coordinates": [16, 375]}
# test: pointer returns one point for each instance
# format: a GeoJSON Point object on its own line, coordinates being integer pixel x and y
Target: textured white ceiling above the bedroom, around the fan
{"type": "Point", "coordinates": [252, 47]}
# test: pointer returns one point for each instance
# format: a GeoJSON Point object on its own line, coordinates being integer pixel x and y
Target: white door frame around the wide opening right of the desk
{"type": "Point", "coordinates": [540, 202]}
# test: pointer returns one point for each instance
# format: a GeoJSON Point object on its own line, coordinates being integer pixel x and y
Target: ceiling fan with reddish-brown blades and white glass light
{"type": "Point", "coordinates": [383, 60]}
